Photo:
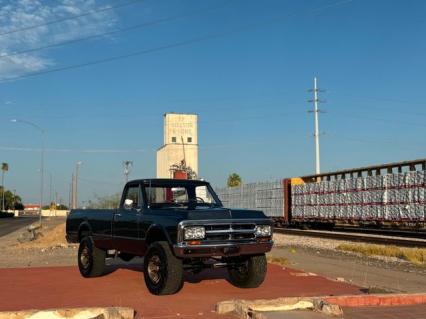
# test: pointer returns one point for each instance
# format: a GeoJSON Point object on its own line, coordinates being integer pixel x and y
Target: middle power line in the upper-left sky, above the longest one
{"type": "Point", "coordinates": [127, 29]}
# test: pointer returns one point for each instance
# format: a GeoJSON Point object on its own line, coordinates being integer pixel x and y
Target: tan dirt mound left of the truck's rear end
{"type": "Point", "coordinates": [47, 238]}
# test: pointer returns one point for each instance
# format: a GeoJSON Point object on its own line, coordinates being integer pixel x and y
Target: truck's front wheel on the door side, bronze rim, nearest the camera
{"type": "Point", "coordinates": [169, 271]}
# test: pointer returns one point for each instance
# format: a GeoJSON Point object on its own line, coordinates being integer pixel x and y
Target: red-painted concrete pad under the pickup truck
{"type": "Point", "coordinates": [52, 287]}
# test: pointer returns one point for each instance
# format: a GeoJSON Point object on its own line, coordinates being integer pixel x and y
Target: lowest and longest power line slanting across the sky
{"type": "Point", "coordinates": [167, 46]}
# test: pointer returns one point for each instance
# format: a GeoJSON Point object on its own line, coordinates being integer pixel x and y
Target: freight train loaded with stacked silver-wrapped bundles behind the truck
{"type": "Point", "coordinates": [390, 194]}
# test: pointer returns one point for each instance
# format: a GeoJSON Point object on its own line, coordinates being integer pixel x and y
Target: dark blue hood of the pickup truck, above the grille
{"type": "Point", "coordinates": [203, 213]}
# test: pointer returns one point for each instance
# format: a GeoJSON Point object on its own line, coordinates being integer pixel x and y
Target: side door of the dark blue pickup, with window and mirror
{"type": "Point", "coordinates": [127, 220]}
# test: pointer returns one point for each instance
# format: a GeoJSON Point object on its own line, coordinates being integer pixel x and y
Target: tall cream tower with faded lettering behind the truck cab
{"type": "Point", "coordinates": [178, 157]}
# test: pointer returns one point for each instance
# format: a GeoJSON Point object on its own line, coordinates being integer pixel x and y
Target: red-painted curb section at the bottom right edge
{"type": "Point", "coordinates": [378, 300]}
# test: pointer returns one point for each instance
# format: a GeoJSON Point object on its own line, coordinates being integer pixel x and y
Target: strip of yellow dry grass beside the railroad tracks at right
{"type": "Point", "coordinates": [416, 256]}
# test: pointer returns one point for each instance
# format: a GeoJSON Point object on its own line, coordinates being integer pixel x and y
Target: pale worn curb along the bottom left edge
{"type": "Point", "coordinates": [72, 313]}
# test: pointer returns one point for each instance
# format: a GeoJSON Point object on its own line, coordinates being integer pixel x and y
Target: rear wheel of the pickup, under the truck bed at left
{"type": "Point", "coordinates": [91, 260]}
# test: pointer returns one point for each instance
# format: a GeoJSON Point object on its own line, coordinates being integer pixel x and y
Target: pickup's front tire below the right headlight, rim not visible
{"type": "Point", "coordinates": [251, 274]}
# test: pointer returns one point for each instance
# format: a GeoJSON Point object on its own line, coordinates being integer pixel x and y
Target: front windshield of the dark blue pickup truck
{"type": "Point", "coordinates": [189, 196]}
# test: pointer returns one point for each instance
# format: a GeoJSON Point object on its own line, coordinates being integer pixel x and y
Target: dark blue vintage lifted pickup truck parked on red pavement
{"type": "Point", "coordinates": [177, 226]}
